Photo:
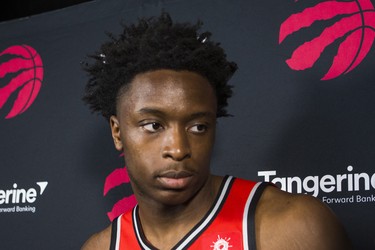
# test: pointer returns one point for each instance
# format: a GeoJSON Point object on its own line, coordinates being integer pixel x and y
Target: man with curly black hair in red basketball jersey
{"type": "Point", "coordinates": [161, 85]}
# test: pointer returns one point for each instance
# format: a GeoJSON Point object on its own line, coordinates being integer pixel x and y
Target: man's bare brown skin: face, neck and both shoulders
{"type": "Point", "coordinates": [165, 125]}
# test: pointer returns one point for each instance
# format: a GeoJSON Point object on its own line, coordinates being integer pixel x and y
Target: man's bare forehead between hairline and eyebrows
{"type": "Point", "coordinates": [169, 90]}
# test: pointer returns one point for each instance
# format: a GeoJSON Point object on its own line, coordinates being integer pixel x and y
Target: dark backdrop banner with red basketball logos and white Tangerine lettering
{"type": "Point", "coordinates": [303, 112]}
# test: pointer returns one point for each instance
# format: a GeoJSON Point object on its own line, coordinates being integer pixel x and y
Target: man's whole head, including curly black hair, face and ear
{"type": "Point", "coordinates": [161, 86]}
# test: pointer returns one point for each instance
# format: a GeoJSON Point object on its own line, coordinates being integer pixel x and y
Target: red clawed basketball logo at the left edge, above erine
{"type": "Point", "coordinates": [25, 68]}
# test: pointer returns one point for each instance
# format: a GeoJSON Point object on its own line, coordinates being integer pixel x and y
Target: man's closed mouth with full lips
{"type": "Point", "coordinates": [173, 179]}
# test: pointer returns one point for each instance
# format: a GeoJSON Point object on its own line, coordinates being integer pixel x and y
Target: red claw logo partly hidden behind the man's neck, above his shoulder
{"type": "Point", "coordinates": [118, 177]}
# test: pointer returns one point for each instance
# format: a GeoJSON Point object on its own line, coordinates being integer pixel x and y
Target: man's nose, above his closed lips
{"type": "Point", "coordinates": [176, 144]}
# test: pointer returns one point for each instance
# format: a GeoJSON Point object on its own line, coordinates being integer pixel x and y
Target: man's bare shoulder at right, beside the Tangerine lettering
{"type": "Point", "coordinates": [297, 221]}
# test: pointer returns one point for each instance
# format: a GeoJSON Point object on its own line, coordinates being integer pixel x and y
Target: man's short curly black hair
{"type": "Point", "coordinates": [155, 43]}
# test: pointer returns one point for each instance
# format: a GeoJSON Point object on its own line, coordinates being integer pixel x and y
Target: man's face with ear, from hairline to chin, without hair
{"type": "Point", "coordinates": [165, 126]}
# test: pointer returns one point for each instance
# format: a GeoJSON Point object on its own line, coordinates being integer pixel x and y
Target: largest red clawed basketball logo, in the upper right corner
{"type": "Point", "coordinates": [355, 27]}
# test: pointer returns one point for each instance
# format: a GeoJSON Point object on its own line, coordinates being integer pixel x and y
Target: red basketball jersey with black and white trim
{"type": "Point", "coordinates": [229, 224]}
